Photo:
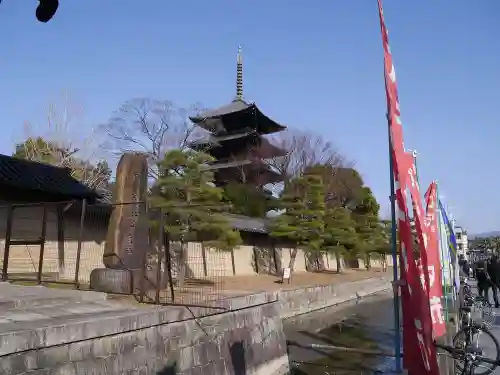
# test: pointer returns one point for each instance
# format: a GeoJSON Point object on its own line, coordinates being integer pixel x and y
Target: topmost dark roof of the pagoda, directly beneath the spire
{"type": "Point", "coordinates": [236, 116]}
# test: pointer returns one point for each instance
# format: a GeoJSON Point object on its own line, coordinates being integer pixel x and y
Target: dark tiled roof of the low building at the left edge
{"type": "Point", "coordinates": [30, 175]}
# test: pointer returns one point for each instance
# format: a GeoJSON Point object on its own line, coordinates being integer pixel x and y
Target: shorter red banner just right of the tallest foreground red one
{"type": "Point", "coordinates": [434, 288]}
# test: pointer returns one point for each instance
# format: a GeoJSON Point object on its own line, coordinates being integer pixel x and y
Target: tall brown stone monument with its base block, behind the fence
{"type": "Point", "coordinates": [127, 237]}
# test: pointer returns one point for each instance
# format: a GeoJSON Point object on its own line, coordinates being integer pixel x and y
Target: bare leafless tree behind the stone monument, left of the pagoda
{"type": "Point", "coordinates": [150, 126]}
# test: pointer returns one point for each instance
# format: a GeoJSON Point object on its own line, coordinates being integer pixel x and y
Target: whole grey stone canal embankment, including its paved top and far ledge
{"type": "Point", "coordinates": [56, 332]}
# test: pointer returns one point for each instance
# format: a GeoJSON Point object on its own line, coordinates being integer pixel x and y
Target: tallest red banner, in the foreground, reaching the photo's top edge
{"type": "Point", "coordinates": [417, 329]}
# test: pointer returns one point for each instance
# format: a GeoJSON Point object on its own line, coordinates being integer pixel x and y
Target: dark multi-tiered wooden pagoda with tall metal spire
{"type": "Point", "coordinates": [236, 139]}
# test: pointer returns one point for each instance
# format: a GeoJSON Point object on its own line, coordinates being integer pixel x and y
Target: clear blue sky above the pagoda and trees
{"type": "Point", "coordinates": [313, 66]}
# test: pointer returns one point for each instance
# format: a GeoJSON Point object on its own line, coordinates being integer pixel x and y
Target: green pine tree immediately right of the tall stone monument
{"type": "Point", "coordinates": [193, 204]}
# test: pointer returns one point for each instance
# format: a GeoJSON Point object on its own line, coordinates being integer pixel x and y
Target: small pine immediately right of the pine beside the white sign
{"type": "Point", "coordinates": [340, 233]}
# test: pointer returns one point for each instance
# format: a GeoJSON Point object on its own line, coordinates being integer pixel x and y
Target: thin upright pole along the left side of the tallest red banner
{"type": "Point", "coordinates": [394, 248]}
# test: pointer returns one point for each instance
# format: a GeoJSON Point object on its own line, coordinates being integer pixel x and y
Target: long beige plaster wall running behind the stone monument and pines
{"type": "Point", "coordinates": [60, 258]}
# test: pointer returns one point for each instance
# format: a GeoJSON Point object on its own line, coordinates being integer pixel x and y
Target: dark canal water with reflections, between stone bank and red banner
{"type": "Point", "coordinates": [366, 324]}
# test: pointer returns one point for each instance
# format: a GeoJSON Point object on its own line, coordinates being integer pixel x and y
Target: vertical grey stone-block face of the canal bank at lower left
{"type": "Point", "coordinates": [248, 341]}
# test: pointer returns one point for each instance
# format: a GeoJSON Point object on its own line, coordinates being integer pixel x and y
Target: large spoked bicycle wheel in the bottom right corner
{"type": "Point", "coordinates": [472, 335]}
